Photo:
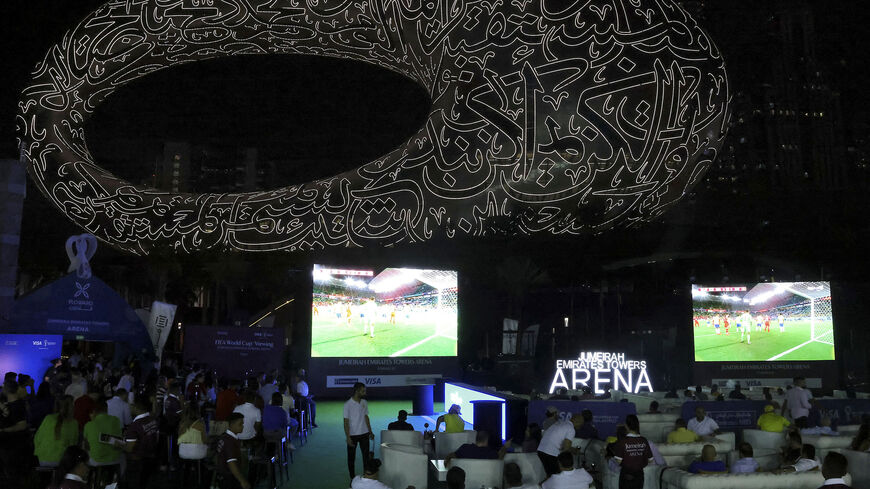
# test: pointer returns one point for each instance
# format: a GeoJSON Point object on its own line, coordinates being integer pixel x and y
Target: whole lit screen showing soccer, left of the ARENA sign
{"type": "Point", "coordinates": [393, 312]}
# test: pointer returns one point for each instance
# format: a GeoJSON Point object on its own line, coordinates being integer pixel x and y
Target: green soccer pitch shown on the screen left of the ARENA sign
{"type": "Point", "coordinates": [335, 338]}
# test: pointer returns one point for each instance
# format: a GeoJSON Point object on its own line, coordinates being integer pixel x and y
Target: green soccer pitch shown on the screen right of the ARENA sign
{"type": "Point", "coordinates": [710, 347]}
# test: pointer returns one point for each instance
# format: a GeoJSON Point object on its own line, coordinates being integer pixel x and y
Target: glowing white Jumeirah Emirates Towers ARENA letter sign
{"type": "Point", "coordinates": [601, 369]}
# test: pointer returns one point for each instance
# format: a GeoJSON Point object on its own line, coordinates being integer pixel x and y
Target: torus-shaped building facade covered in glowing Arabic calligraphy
{"type": "Point", "coordinates": [556, 117]}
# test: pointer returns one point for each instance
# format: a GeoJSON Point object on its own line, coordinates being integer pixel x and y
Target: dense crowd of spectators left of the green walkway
{"type": "Point", "coordinates": [84, 413]}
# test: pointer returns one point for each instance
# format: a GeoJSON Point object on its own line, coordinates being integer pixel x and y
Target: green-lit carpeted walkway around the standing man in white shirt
{"type": "Point", "coordinates": [322, 462]}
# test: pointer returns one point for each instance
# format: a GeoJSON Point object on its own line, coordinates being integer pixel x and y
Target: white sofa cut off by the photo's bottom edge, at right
{"type": "Point", "coordinates": [680, 479]}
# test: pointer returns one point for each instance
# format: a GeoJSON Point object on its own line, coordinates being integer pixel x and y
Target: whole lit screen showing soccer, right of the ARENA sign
{"type": "Point", "coordinates": [763, 322]}
